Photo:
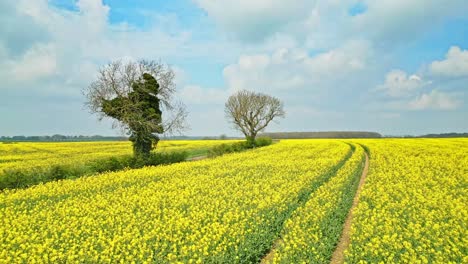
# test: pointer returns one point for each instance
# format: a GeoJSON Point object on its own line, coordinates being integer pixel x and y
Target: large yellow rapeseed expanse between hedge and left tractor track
{"type": "Point", "coordinates": [225, 210]}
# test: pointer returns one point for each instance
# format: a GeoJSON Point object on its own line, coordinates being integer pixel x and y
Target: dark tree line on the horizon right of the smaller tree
{"type": "Point", "coordinates": [328, 134]}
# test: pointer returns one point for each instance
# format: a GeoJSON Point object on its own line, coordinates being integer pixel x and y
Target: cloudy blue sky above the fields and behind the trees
{"type": "Point", "coordinates": [390, 66]}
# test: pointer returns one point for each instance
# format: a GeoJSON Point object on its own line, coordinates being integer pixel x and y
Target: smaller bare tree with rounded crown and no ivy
{"type": "Point", "coordinates": [251, 112]}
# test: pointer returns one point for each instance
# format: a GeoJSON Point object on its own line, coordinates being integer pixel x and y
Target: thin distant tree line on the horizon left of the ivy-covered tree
{"type": "Point", "coordinates": [59, 138]}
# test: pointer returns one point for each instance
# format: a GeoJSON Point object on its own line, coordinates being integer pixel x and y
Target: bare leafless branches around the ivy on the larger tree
{"type": "Point", "coordinates": [115, 80]}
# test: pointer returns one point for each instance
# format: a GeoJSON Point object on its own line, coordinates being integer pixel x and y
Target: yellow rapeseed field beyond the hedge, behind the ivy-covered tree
{"type": "Point", "coordinates": [23, 160]}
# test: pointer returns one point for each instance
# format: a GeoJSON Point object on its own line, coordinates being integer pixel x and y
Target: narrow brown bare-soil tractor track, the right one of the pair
{"type": "Point", "coordinates": [338, 254]}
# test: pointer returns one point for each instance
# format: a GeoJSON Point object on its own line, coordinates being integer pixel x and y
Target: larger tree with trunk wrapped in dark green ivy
{"type": "Point", "coordinates": [135, 95]}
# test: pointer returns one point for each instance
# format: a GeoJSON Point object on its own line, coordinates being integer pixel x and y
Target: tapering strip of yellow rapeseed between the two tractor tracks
{"type": "Point", "coordinates": [312, 232]}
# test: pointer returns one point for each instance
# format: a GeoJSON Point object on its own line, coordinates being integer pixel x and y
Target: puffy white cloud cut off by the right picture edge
{"type": "Point", "coordinates": [454, 65]}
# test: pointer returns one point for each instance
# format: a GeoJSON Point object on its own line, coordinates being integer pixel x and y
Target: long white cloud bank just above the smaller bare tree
{"type": "Point", "coordinates": [292, 69]}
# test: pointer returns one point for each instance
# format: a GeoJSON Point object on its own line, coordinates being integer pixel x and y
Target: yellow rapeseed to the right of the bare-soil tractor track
{"type": "Point", "coordinates": [414, 205]}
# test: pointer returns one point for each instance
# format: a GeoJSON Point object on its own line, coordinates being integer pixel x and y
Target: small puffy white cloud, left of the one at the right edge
{"type": "Point", "coordinates": [399, 84]}
